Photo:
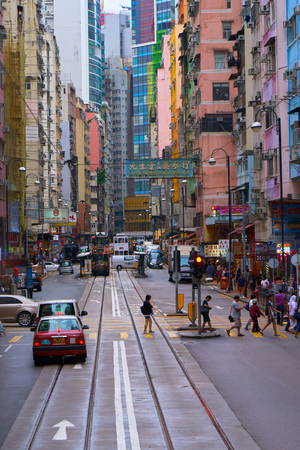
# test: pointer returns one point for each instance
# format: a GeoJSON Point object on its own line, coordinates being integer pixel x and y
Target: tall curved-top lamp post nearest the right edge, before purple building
{"type": "Point", "coordinates": [256, 127]}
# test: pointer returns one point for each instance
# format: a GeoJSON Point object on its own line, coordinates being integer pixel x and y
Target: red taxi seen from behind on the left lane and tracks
{"type": "Point", "coordinates": [59, 336]}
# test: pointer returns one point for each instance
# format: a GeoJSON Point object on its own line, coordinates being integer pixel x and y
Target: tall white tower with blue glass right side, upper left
{"type": "Point", "coordinates": [81, 58]}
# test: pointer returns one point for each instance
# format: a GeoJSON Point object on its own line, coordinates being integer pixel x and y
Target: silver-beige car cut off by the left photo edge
{"type": "Point", "coordinates": [16, 308]}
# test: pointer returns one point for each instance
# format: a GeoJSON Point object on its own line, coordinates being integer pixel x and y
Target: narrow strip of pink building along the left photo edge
{"type": "Point", "coordinates": [2, 143]}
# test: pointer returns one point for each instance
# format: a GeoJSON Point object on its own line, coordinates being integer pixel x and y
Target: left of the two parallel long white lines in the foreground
{"type": "Point", "coordinates": [121, 444]}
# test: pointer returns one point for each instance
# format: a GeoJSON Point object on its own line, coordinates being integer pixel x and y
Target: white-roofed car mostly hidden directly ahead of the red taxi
{"type": "Point", "coordinates": [58, 308]}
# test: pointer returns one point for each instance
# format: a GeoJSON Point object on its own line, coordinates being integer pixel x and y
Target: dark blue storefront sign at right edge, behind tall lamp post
{"type": "Point", "coordinates": [291, 218]}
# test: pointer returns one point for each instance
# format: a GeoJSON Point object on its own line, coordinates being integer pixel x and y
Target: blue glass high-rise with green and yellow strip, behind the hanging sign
{"type": "Point", "coordinates": [150, 21]}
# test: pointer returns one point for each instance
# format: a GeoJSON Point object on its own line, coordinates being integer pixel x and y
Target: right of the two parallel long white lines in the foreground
{"type": "Point", "coordinates": [134, 437]}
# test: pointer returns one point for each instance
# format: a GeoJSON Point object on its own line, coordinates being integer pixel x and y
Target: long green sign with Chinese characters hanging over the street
{"type": "Point", "coordinates": [159, 168]}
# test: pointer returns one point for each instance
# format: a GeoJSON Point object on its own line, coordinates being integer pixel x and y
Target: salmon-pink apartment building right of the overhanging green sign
{"type": "Point", "coordinates": [213, 23]}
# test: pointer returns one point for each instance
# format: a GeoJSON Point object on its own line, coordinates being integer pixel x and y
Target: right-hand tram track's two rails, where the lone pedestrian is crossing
{"type": "Point", "coordinates": [207, 409]}
